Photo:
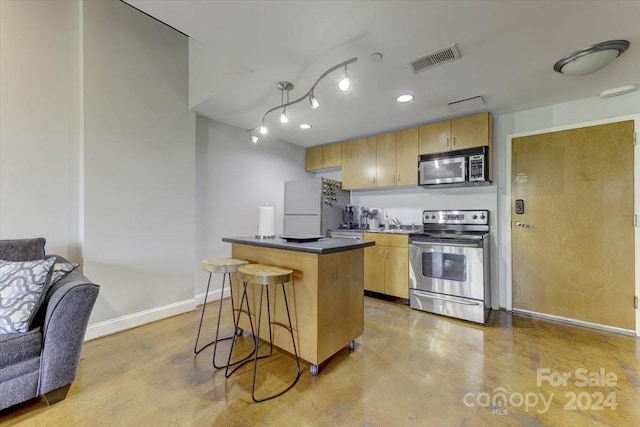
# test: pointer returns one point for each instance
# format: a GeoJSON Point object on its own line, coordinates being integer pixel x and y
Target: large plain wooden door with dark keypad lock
{"type": "Point", "coordinates": [573, 247]}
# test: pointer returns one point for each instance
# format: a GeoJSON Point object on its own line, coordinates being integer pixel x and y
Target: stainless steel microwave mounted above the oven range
{"type": "Point", "coordinates": [454, 168]}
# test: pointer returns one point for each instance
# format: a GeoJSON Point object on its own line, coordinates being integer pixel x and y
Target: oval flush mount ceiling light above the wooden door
{"type": "Point", "coordinates": [591, 59]}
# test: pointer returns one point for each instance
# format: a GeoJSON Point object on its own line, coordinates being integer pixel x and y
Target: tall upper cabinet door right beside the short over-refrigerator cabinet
{"type": "Point", "coordinates": [359, 163]}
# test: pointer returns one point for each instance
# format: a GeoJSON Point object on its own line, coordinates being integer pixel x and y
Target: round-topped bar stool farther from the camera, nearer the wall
{"type": "Point", "coordinates": [226, 266]}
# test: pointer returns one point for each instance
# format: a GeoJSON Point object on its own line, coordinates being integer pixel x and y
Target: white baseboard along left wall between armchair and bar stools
{"type": "Point", "coordinates": [134, 320]}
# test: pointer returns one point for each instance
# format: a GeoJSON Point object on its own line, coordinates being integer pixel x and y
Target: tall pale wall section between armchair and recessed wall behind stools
{"type": "Point", "coordinates": [139, 165]}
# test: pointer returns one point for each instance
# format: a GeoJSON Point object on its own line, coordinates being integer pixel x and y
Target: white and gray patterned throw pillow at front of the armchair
{"type": "Point", "coordinates": [22, 286]}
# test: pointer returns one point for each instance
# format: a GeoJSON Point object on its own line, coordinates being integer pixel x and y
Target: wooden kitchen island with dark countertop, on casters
{"type": "Point", "coordinates": [326, 297]}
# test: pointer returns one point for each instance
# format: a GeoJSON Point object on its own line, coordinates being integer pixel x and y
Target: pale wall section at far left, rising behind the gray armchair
{"type": "Point", "coordinates": [40, 123]}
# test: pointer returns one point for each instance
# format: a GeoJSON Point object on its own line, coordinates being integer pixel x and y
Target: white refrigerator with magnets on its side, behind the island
{"type": "Point", "coordinates": [313, 206]}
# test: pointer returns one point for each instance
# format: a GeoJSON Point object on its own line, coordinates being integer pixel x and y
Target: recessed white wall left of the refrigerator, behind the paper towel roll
{"type": "Point", "coordinates": [234, 178]}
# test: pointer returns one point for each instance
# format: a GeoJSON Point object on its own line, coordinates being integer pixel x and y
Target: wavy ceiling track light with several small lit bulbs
{"type": "Point", "coordinates": [284, 86]}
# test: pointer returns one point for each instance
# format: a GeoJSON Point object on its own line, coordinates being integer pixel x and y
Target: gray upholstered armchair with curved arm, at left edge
{"type": "Point", "coordinates": [44, 360]}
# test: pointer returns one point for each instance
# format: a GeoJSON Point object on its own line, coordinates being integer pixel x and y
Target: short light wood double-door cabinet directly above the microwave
{"type": "Point", "coordinates": [456, 134]}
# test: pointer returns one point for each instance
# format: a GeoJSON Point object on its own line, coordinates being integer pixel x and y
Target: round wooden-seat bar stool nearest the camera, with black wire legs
{"type": "Point", "coordinates": [266, 276]}
